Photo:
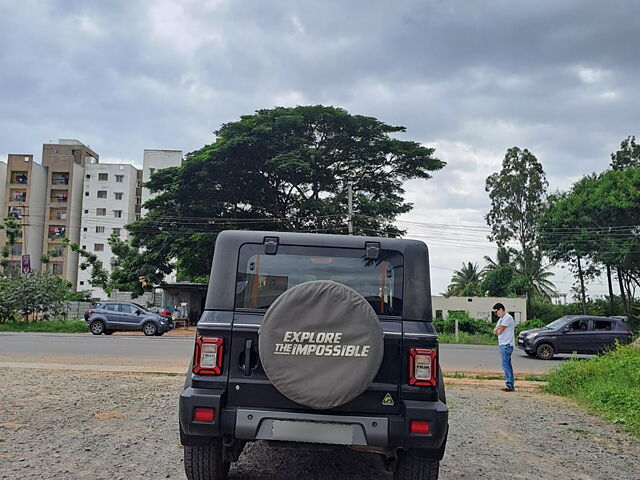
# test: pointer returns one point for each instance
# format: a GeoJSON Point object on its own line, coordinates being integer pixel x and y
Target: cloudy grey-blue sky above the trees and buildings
{"type": "Point", "coordinates": [468, 78]}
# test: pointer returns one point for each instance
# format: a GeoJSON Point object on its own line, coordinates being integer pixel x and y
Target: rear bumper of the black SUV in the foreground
{"type": "Point", "coordinates": [250, 424]}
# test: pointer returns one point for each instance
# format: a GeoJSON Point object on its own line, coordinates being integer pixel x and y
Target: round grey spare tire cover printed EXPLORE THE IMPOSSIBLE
{"type": "Point", "coordinates": [321, 344]}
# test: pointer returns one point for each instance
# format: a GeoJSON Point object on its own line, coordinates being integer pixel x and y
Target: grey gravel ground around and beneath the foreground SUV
{"type": "Point", "coordinates": [83, 425]}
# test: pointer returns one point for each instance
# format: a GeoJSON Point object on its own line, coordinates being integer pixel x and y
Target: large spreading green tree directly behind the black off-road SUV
{"type": "Point", "coordinates": [280, 169]}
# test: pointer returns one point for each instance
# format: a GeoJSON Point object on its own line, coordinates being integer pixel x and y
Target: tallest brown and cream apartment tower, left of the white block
{"type": "Point", "coordinates": [66, 162]}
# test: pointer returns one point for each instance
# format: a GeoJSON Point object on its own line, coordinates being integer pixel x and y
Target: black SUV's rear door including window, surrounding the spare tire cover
{"type": "Point", "coordinates": [262, 278]}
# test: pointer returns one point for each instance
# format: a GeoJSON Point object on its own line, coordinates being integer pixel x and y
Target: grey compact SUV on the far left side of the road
{"type": "Point", "coordinates": [109, 317]}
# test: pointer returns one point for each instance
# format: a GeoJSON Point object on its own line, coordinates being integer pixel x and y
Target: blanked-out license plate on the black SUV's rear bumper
{"type": "Point", "coordinates": [312, 432]}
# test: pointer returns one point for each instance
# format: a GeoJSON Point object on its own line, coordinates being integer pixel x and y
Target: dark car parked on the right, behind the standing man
{"type": "Point", "coordinates": [575, 334]}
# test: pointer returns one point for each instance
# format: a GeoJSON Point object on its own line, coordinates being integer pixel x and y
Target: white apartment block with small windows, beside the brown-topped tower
{"type": "Point", "coordinates": [108, 205]}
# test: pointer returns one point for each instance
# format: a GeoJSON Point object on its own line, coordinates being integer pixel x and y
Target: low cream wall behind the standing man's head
{"type": "Point", "coordinates": [479, 307]}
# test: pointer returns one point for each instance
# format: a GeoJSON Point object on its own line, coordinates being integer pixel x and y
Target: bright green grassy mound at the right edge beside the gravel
{"type": "Point", "coordinates": [608, 384]}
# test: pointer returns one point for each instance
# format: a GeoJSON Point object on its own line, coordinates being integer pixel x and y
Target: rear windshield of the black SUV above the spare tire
{"type": "Point", "coordinates": [263, 278]}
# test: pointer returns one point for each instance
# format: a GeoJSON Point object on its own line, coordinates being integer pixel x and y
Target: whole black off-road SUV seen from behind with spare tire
{"type": "Point", "coordinates": [315, 339]}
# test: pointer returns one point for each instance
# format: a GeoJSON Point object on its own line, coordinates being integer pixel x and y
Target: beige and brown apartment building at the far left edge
{"type": "Point", "coordinates": [25, 187]}
